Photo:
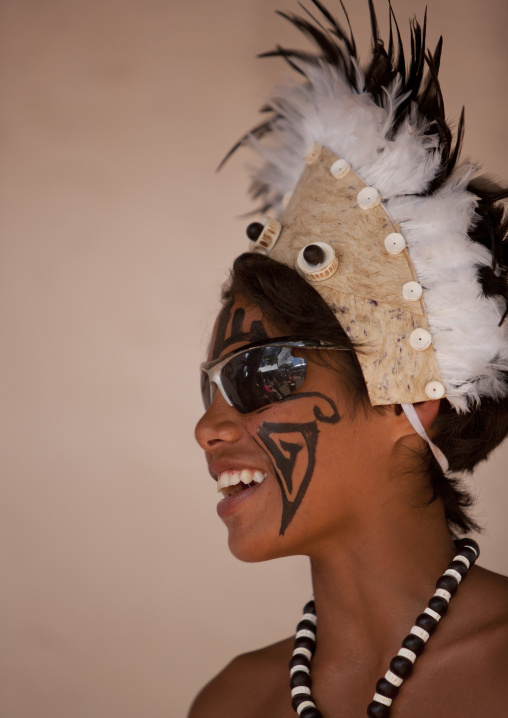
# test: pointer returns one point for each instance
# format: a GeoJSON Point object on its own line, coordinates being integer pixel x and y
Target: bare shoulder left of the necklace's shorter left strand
{"type": "Point", "coordinates": [235, 691]}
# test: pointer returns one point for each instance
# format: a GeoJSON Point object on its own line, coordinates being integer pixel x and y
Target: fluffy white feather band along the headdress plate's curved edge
{"type": "Point", "coordinates": [472, 350]}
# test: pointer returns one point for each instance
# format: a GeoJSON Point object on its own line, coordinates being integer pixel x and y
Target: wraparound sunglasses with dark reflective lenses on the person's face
{"type": "Point", "coordinates": [258, 374]}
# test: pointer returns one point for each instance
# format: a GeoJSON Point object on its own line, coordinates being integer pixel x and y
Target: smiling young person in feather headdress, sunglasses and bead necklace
{"type": "Point", "coordinates": [359, 365]}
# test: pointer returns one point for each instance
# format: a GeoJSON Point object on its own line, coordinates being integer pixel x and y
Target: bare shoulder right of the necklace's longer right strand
{"type": "Point", "coordinates": [464, 668]}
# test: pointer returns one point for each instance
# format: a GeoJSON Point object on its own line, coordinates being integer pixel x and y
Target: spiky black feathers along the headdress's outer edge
{"type": "Point", "coordinates": [420, 83]}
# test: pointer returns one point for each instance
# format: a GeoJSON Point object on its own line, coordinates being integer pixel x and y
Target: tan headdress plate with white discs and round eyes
{"type": "Point", "coordinates": [358, 262]}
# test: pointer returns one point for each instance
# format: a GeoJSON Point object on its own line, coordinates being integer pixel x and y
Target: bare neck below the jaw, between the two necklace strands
{"type": "Point", "coordinates": [369, 589]}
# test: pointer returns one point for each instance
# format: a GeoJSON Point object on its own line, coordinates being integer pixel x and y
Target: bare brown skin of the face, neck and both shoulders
{"type": "Point", "coordinates": [376, 549]}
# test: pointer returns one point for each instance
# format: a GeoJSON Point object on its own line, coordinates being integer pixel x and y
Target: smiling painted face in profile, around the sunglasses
{"type": "Point", "coordinates": [296, 472]}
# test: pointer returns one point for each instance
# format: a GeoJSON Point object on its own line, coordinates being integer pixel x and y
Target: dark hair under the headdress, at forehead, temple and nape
{"type": "Point", "coordinates": [290, 303]}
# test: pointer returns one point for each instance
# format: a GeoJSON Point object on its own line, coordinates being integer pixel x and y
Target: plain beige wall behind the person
{"type": "Point", "coordinates": [119, 598]}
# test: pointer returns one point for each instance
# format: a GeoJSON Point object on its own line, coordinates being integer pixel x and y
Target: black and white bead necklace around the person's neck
{"type": "Point", "coordinates": [401, 666]}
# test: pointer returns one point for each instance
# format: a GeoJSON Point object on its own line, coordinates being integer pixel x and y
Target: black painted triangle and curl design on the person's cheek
{"type": "Point", "coordinates": [284, 452]}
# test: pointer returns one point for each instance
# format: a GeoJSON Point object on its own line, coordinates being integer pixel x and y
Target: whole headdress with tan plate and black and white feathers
{"type": "Point", "coordinates": [387, 124]}
